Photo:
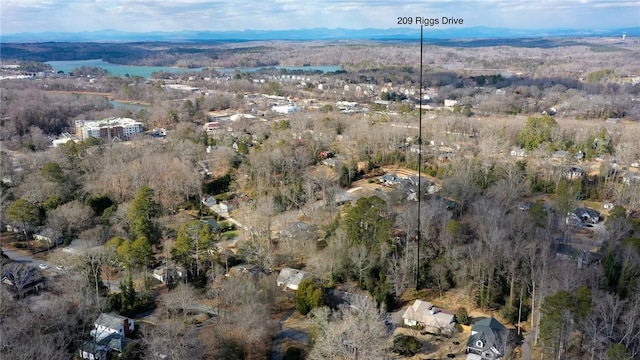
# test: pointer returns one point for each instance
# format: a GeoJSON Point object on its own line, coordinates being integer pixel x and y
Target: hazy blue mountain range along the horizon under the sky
{"type": "Point", "coordinates": [312, 34]}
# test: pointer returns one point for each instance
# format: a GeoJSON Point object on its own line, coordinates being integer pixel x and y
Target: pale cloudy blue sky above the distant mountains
{"type": "Point", "coordinates": [173, 15]}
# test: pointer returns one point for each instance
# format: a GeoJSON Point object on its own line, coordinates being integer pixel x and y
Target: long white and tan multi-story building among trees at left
{"type": "Point", "coordinates": [110, 128]}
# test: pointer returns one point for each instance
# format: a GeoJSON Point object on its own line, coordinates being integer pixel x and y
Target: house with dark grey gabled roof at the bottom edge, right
{"type": "Point", "coordinates": [487, 341]}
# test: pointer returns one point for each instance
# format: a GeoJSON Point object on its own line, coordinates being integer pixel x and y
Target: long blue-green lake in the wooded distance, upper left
{"type": "Point", "coordinates": [145, 71]}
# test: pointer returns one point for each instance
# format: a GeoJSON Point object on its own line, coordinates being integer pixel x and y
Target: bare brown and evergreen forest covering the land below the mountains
{"type": "Point", "coordinates": [332, 193]}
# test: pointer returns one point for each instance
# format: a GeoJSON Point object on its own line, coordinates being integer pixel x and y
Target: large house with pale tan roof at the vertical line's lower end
{"type": "Point", "coordinates": [431, 318]}
